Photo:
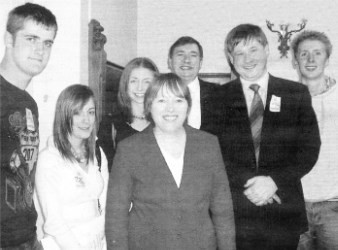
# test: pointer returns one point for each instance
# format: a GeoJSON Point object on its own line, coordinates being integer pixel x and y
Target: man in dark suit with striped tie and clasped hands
{"type": "Point", "coordinates": [270, 140]}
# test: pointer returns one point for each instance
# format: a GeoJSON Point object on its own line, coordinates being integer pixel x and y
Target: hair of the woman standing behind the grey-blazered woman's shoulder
{"type": "Point", "coordinates": [123, 97]}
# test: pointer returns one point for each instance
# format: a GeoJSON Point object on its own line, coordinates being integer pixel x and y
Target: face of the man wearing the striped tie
{"type": "Point", "coordinates": [250, 59]}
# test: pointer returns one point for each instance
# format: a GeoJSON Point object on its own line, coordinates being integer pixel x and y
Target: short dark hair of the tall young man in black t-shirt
{"type": "Point", "coordinates": [30, 11]}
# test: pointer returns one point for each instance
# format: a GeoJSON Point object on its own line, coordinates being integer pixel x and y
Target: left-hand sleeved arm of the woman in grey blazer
{"type": "Point", "coordinates": [119, 200]}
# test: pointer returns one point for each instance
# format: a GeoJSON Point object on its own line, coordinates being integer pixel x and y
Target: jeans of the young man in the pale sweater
{"type": "Point", "coordinates": [323, 226]}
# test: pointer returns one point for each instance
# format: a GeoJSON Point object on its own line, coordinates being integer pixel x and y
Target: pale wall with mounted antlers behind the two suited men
{"type": "Point", "coordinates": [160, 23]}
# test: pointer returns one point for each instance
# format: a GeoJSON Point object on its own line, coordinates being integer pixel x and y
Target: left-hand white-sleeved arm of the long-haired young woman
{"type": "Point", "coordinates": [47, 183]}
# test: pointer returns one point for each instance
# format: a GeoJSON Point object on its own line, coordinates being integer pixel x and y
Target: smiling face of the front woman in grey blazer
{"type": "Point", "coordinates": [168, 111]}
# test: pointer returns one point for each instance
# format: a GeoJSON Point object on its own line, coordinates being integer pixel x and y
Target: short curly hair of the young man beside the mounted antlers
{"type": "Point", "coordinates": [313, 36]}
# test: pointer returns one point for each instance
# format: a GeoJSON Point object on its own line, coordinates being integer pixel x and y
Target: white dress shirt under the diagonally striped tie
{"type": "Point", "coordinates": [249, 93]}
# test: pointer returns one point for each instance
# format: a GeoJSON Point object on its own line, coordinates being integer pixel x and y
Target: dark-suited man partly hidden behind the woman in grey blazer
{"type": "Point", "coordinates": [185, 60]}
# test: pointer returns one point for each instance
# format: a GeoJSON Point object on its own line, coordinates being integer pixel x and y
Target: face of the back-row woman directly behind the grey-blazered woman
{"type": "Point", "coordinates": [139, 80]}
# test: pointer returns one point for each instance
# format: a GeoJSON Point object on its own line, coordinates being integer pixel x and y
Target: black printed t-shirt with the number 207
{"type": "Point", "coordinates": [19, 151]}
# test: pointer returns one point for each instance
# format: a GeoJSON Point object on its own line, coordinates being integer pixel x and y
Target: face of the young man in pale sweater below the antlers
{"type": "Point", "coordinates": [312, 59]}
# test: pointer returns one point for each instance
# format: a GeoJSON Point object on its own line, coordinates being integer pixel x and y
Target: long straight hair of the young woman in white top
{"type": "Point", "coordinates": [70, 102]}
